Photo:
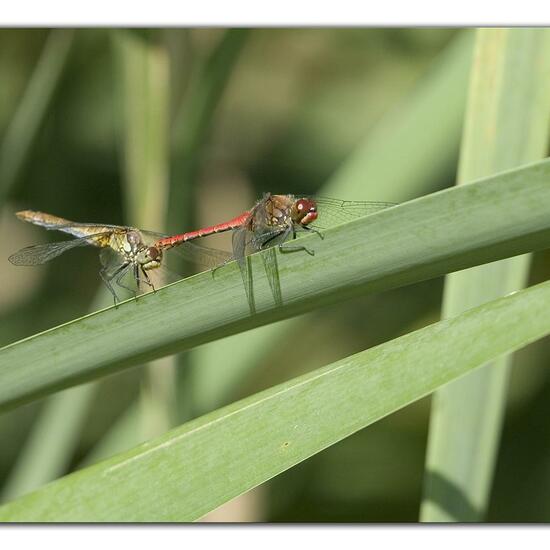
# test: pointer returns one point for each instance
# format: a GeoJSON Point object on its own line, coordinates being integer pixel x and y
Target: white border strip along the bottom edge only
{"type": "Point", "coordinates": [266, 537]}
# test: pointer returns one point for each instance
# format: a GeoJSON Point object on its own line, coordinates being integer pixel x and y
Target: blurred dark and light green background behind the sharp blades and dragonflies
{"type": "Point", "coordinates": [169, 129]}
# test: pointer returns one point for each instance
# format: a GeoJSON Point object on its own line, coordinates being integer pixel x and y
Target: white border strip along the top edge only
{"type": "Point", "coordinates": [279, 13]}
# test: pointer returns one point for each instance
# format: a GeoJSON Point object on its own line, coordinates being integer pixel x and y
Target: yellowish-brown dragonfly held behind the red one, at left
{"type": "Point", "coordinates": [124, 250]}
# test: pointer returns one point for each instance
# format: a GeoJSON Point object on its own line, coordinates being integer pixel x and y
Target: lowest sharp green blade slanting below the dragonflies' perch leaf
{"type": "Point", "coordinates": [195, 468]}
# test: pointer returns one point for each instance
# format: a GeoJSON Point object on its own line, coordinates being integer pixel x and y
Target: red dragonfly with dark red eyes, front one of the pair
{"type": "Point", "coordinates": [275, 219]}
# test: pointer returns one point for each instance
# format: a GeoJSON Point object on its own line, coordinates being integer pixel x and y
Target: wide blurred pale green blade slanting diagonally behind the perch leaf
{"type": "Point", "coordinates": [369, 173]}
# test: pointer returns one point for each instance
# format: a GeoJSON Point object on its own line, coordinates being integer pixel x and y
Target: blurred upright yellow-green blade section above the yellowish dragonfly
{"type": "Point", "coordinates": [144, 100]}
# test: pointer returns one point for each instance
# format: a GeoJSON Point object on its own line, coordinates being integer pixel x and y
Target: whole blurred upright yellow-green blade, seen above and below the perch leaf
{"type": "Point", "coordinates": [144, 95]}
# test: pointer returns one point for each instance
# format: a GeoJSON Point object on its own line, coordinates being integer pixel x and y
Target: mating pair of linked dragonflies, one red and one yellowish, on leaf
{"type": "Point", "coordinates": [127, 250]}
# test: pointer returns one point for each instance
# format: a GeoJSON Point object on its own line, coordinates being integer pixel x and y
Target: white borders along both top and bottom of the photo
{"type": "Point", "coordinates": [253, 14]}
